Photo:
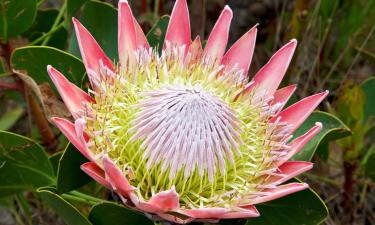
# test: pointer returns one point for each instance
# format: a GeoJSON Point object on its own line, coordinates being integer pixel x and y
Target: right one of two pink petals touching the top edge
{"type": "Point", "coordinates": [178, 31]}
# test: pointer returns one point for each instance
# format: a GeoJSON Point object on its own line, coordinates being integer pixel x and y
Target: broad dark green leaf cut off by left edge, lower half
{"type": "Point", "coordinates": [24, 165]}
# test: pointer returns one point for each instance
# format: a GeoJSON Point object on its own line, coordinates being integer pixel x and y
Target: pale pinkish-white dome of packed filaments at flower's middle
{"type": "Point", "coordinates": [186, 128]}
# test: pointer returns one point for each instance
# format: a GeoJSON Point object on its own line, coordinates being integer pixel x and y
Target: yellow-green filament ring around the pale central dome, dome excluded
{"type": "Point", "coordinates": [117, 106]}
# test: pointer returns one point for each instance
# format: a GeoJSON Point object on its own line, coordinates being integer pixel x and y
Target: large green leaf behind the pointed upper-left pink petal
{"type": "Point", "coordinates": [103, 28]}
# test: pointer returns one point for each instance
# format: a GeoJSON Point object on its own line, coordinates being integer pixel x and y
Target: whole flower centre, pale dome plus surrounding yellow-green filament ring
{"type": "Point", "coordinates": [183, 125]}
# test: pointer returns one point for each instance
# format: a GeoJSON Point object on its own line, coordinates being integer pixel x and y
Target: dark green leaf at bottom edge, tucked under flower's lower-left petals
{"type": "Point", "coordinates": [111, 213]}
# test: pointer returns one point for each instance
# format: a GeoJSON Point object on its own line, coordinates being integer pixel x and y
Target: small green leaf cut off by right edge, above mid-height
{"type": "Point", "coordinates": [368, 88]}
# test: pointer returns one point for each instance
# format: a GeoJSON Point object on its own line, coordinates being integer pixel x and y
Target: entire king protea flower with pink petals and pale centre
{"type": "Point", "coordinates": [184, 136]}
